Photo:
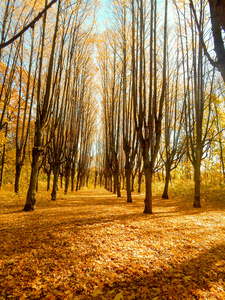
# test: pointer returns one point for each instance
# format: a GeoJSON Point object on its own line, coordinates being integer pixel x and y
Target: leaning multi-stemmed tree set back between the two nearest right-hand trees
{"type": "Point", "coordinates": [173, 147]}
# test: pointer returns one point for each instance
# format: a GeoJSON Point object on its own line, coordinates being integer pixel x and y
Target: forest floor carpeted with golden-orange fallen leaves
{"type": "Point", "coordinates": [93, 245]}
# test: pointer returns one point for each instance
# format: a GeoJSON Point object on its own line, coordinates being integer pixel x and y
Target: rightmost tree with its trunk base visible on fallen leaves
{"type": "Point", "coordinates": [198, 101]}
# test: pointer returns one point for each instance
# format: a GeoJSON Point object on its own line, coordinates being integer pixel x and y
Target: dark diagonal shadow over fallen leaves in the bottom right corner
{"type": "Point", "coordinates": [188, 280]}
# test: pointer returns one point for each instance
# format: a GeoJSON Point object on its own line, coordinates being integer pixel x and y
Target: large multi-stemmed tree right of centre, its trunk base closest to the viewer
{"type": "Point", "coordinates": [148, 107]}
